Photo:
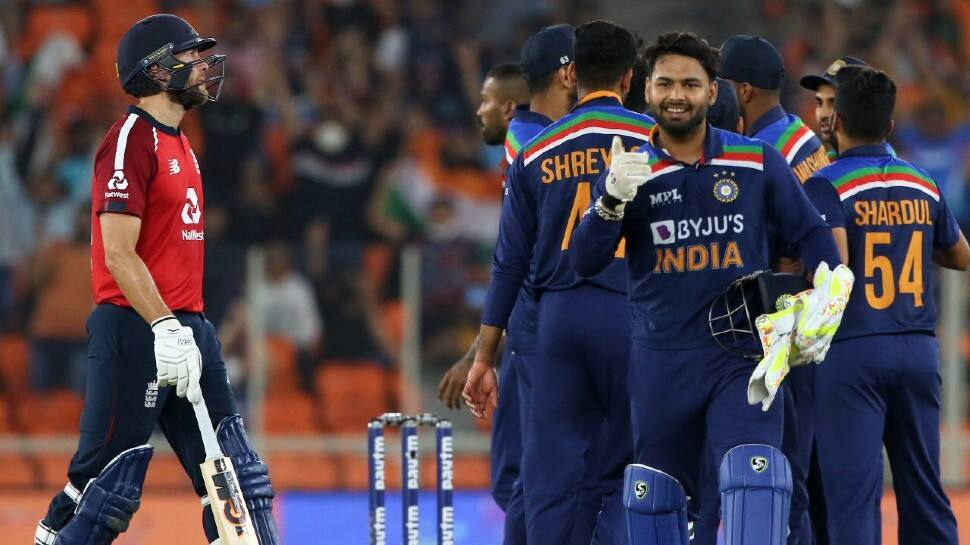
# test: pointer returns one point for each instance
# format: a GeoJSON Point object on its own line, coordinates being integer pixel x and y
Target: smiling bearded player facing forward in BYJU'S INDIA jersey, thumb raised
{"type": "Point", "coordinates": [694, 206]}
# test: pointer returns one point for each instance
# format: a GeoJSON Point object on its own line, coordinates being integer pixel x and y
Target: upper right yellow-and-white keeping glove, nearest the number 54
{"type": "Point", "coordinates": [824, 307]}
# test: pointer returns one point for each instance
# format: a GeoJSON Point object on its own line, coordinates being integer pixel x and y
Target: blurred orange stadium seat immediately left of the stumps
{"type": "Point", "coordinates": [350, 394]}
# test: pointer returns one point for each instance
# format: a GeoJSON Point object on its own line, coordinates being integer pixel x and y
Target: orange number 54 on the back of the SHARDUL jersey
{"type": "Point", "coordinates": [910, 278]}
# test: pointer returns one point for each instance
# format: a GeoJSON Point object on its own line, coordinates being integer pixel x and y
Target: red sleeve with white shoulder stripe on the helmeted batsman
{"type": "Point", "coordinates": [123, 168]}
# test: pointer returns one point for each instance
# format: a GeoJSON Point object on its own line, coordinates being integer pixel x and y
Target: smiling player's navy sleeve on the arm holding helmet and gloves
{"type": "Point", "coordinates": [796, 221]}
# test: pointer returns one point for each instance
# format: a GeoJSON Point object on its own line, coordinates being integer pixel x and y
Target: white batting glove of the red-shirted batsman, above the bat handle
{"type": "Point", "coordinates": [177, 358]}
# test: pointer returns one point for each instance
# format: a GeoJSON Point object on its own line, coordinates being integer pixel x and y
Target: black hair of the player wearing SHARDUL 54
{"type": "Point", "coordinates": [865, 101]}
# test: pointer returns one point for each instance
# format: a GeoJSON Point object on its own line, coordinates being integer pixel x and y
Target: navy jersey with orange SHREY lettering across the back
{"type": "Point", "coordinates": [547, 189]}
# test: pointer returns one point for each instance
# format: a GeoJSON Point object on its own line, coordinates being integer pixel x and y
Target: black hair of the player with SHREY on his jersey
{"type": "Point", "coordinates": [604, 51]}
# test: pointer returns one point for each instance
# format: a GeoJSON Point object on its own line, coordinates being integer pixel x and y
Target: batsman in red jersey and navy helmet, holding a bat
{"type": "Point", "coordinates": [147, 333]}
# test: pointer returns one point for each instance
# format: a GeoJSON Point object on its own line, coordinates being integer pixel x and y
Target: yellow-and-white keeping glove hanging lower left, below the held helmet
{"type": "Point", "coordinates": [775, 331]}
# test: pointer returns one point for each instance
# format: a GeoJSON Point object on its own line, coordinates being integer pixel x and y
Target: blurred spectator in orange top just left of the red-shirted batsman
{"type": "Point", "coordinates": [61, 277]}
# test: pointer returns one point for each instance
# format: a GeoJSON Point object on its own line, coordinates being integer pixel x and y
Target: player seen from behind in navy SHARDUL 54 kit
{"type": "Point", "coordinates": [880, 383]}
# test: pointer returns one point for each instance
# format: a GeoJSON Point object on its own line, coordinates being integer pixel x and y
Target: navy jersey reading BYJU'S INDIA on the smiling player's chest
{"type": "Point", "coordinates": [694, 229]}
